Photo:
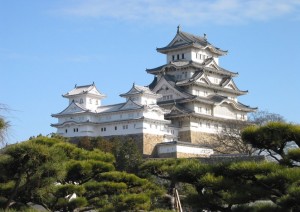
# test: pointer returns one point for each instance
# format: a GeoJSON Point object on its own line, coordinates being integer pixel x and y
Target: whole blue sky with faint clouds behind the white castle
{"type": "Point", "coordinates": [46, 47]}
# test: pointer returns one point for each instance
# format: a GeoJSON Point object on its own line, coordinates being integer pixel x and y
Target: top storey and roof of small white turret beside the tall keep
{"type": "Point", "coordinates": [141, 95]}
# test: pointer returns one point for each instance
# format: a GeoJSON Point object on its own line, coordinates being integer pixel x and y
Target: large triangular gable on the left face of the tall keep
{"type": "Point", "coordinates": [164, 85]}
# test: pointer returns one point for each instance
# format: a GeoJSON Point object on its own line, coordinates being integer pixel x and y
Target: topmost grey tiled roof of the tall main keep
{"type": "Point", "coordinates": [185, 40]}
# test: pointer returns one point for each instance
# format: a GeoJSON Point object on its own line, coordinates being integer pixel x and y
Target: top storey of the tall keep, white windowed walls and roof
{"type": "Point", "coordinates": [185, 46]}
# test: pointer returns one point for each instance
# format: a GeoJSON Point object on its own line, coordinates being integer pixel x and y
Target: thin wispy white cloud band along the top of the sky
{"type": "Point", "coordinates": [185, 11]}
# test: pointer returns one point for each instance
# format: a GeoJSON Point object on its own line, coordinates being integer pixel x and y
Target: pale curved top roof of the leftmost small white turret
{"type": "Point", "coordinates": [84, 89]}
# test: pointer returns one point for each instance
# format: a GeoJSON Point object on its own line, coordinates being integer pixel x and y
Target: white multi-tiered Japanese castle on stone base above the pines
{"type": "Point", "coordinates": [190, 99]}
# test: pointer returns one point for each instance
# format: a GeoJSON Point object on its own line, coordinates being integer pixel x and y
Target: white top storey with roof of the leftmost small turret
{"type": "Point", "coordinates": [87, 96]}
